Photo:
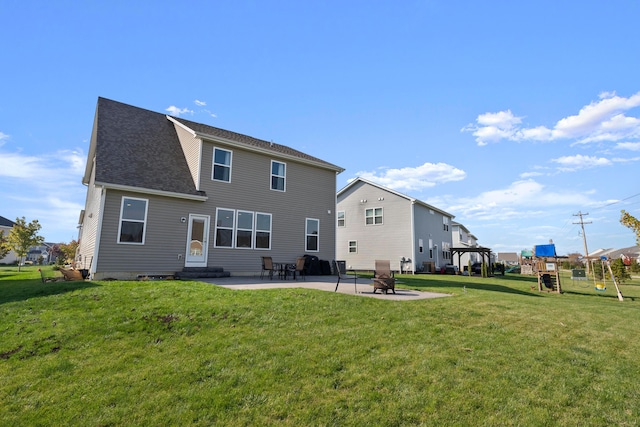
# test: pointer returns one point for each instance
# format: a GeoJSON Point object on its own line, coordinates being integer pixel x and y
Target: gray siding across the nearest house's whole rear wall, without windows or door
{"type": "Point", "coordinates": [310, 193]}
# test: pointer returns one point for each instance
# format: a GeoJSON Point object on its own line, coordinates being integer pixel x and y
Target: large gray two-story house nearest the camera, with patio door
{"type": "Point", "coordinates": [164, 193]}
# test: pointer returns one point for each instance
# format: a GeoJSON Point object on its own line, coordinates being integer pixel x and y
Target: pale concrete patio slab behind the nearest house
{"type": "Point", "coordinates": [323, 283]}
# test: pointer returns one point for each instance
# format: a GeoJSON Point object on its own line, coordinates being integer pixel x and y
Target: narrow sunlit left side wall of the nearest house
{"type": "Point", "coordinates": [91, 221]}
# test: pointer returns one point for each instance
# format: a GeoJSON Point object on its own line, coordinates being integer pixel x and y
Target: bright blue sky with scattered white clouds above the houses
{"type": "Point", "coordinates": [512, 116]}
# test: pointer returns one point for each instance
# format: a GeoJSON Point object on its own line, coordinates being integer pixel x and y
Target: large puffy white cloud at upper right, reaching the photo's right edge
{"type": "Point", "coordinates": [603, 120]}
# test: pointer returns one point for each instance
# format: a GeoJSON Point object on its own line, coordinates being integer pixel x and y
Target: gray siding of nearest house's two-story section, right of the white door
{"type": "Point", "coordinates": [310, 193]}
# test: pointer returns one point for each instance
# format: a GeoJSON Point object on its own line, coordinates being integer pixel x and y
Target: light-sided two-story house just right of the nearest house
{"type": "Point", "coordinates": [375, 222]}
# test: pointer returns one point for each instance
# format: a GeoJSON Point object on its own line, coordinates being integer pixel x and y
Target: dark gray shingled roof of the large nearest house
{"type": "Point", "coordinates": [134, 147]}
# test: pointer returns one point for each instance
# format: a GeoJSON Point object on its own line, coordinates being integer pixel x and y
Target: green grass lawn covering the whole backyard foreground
{"type": "Point", "coordinates": [188, 353]}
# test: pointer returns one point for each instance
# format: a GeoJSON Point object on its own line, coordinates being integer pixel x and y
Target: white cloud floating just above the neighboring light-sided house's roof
{"type": "Point", "coordinates": [415, 178]}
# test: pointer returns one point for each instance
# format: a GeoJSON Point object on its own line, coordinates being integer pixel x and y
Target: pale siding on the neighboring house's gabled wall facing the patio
{"type": "Point", "coordinates": [391, 240]}
